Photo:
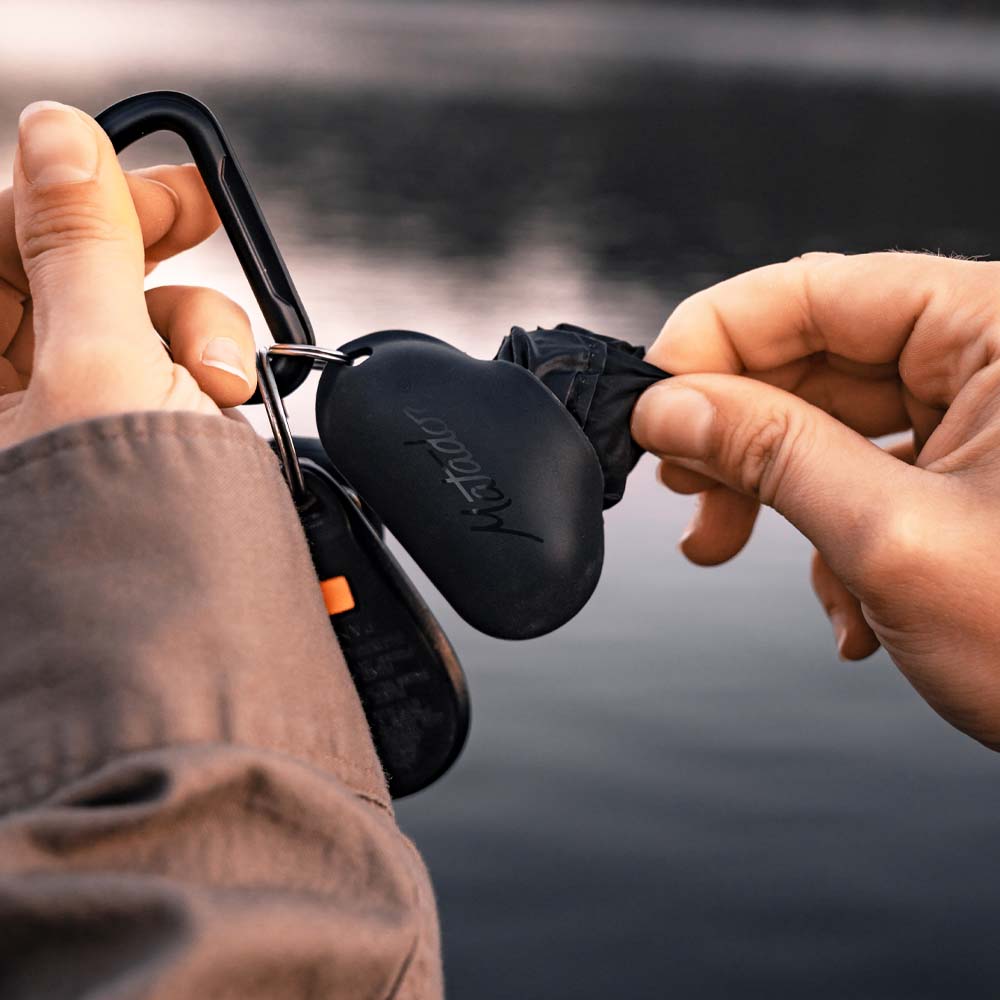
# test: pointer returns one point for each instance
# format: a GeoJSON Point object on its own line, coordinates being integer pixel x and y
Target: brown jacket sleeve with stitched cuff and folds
{"type": "Point", "coordinates": [190, 803]}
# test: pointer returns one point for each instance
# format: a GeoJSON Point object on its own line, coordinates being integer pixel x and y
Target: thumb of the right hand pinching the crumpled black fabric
{"type": "Point", "coordinates": [829, 481]}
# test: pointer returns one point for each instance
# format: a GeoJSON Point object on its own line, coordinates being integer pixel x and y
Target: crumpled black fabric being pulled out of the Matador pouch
{"type": "Point", "coordinates": [598, 379]}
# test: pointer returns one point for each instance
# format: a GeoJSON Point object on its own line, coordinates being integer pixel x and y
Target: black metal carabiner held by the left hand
{"type": "Point", "coordinates": [168, 111]}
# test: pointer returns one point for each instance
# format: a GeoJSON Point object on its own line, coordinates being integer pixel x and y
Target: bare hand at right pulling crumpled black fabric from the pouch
{"type": "Point", "coordinates": [840, 349]}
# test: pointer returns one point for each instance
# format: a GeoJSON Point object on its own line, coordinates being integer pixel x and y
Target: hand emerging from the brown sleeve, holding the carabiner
{"type": "Point", "coordinates": [78, 334]}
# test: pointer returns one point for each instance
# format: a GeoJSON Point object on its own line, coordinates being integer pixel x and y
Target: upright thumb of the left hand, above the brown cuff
{"type": "Point", "coordinates": [81, 245]}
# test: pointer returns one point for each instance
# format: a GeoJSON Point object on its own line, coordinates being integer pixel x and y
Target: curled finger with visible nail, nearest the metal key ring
{"type": "Point", "coordinates": [210, 336]}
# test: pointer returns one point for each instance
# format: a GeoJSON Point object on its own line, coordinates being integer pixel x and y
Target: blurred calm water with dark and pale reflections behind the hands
{"type": "Point", "coordinates": [683, 792]}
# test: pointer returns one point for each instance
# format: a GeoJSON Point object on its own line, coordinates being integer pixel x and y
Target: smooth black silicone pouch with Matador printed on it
{"type": "Point", "coordinates": [478, 470]}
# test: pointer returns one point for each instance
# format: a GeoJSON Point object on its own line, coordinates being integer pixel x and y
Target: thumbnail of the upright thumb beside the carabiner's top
{"type": "Point", "coordinates": [57, 145]}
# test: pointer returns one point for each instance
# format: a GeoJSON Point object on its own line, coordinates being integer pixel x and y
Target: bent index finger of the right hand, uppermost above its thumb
{"type": "Point", "coordinates": [927, 313]}
